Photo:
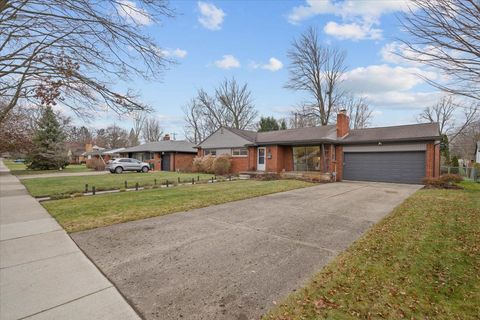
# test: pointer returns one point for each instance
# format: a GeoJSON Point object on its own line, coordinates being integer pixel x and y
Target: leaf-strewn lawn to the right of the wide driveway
{"type": "Point", "coordinates": [420, 262]}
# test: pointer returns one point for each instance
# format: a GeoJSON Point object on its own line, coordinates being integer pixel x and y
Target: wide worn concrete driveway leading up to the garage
{"type": "Point", "coordinates": [234, 261]}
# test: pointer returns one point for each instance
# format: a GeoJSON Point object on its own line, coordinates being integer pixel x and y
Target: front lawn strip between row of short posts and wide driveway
{"type": "Point", "coordinates": [84, 213]}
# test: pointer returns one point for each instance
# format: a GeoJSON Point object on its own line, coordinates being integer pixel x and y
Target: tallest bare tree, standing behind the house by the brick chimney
{"type": "Point", "coordinates": [318, 71]}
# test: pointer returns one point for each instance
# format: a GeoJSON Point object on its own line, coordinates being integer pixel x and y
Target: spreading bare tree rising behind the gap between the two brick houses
{"type": "Point", "coordinates": [231, 106]}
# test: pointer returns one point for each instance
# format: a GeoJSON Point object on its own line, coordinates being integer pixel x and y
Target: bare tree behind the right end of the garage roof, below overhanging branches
{"type": "Point", "coordinates": [443, 113]}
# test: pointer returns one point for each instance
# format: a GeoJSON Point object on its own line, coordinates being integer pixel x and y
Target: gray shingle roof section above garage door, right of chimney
{"type": "Point", "coordinates": [412, 132]}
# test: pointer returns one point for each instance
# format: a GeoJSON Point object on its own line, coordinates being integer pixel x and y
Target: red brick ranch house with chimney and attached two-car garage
{"type": "Point", "coordinates": [404, 154]}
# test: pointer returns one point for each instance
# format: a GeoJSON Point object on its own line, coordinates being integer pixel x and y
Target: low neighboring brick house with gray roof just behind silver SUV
{"type": "Point", "coordinates": [165, 155]}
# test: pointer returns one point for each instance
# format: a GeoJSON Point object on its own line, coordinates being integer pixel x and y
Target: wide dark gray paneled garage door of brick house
{"type": "Point", "coordinates": [403, 167]}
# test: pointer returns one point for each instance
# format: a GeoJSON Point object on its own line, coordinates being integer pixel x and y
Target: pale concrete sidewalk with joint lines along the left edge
{"type": "Point", "coordinates": [43, 274]}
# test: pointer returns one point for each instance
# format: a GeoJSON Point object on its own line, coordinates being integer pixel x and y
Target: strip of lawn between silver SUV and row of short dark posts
{"type": "Point", "coordinates": [42, 187]}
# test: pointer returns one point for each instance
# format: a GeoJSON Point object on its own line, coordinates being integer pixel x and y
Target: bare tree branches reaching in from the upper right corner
{"type": "Point", "coordinates": [445, 34]}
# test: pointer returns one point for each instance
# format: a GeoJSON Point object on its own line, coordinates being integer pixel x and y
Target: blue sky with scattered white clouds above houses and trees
{"type": "Point", "coordinates": [249, 40]}
